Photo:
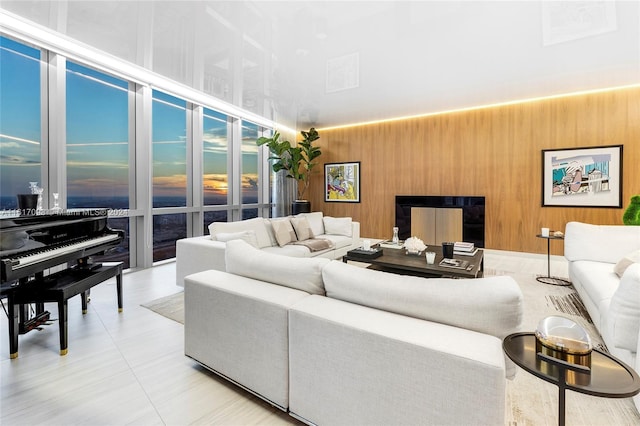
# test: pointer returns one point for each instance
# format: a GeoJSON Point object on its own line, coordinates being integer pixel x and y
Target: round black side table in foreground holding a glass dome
{"type": "Point", "coordinates": [606, 377]}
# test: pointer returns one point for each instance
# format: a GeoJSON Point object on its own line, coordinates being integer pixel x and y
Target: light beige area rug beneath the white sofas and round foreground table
{"type": "Point", "coordinates": [530, 401]}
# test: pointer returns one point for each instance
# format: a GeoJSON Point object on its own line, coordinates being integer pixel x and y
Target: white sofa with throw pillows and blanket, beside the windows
{"type": "Point", "coordinates": [286, 236]}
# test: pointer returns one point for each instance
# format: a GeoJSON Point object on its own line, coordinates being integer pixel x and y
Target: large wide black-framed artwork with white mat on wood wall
{"type": "Point", "coordinates": [582, 177]}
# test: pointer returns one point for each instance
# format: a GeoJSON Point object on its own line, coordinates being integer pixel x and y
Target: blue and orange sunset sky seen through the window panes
{"type": "Point", "coordinates": [98, 134]}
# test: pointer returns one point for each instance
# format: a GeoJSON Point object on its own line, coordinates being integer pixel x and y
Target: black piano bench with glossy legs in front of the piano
{"type": "Point", "coordinates": [59, 287]}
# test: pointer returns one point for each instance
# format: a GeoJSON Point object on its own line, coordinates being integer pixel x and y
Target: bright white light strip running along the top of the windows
{"type": "Point", "coordinates": [37, 35]}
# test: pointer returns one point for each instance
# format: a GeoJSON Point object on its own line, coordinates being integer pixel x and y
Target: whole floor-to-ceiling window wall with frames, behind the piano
{"type": "Point", "coordinates": [155, 182]}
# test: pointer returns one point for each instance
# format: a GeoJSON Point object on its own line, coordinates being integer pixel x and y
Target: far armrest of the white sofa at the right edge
{"type": "Point", "coordinates": [600, 243]}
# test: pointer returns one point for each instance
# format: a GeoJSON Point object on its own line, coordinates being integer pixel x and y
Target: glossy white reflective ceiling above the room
{"type": "Point", "coordinates": [304, 63]}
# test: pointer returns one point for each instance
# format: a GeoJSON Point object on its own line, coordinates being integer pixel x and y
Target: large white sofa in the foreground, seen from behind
{"type": "Point", "coordinates": [337, 344]}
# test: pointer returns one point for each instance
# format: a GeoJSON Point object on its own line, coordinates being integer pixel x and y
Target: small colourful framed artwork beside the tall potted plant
{"type": "Point", "coordinates": [342, 182]}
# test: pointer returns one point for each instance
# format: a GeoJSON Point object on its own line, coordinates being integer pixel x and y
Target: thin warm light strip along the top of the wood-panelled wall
{"type": "Point", "coordinates": [473, 108]}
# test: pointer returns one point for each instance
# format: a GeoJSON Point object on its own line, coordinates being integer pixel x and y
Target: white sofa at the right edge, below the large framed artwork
{"type": "Point", "coordinates": [604, 269]}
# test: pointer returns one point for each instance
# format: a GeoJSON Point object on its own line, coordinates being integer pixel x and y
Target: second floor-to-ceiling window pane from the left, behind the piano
{"type": "Point", "coordinates": [97, 148]}
